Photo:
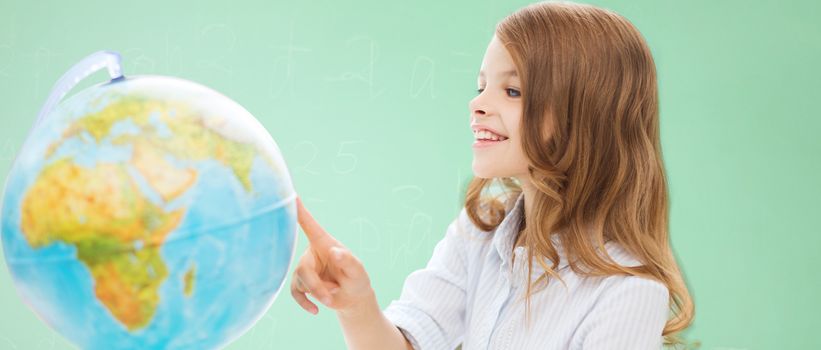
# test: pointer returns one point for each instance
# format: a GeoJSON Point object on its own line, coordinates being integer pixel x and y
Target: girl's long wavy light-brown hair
{"type": "Point", "coordinates": [590, 131]}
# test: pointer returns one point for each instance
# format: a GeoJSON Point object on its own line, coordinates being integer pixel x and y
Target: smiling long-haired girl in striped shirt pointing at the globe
{"type": "Point", "coordinates": [566, 120]}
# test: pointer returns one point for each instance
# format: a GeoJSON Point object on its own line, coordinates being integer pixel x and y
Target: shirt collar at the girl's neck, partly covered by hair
{"type": "Point", "coordinates": [504, 238]}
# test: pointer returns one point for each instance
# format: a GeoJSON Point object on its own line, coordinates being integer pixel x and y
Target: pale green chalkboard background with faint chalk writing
{"type": "Point", "coordinates": [368, 102]}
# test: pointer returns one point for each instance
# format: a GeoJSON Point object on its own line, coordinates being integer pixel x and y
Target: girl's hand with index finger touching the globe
{"type": "Point", "coordinates": [328, 271]}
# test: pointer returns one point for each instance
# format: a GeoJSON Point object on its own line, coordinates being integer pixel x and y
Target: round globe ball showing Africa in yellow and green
{"type": "Point", "coordinates": [149, 212]}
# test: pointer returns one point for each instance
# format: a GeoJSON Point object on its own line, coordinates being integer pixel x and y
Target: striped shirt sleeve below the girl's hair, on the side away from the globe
{"type": "Point", "coordinates": [629, 315]}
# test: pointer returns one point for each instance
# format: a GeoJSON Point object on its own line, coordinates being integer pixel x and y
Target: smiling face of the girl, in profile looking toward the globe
{"type": "Point", "coordinates": [498, 107]}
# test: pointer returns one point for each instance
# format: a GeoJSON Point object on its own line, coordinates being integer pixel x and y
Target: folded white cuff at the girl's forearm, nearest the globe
{"type": "Point", "coordinates": [420, 329]}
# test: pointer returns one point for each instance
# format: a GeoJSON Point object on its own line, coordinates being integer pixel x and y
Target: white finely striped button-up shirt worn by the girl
{"type": "Point", "coordinates": [464, 296]}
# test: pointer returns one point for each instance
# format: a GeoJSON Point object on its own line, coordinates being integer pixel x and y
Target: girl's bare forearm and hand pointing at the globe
{"type": "Point", "coordinates": [329, 272]}
